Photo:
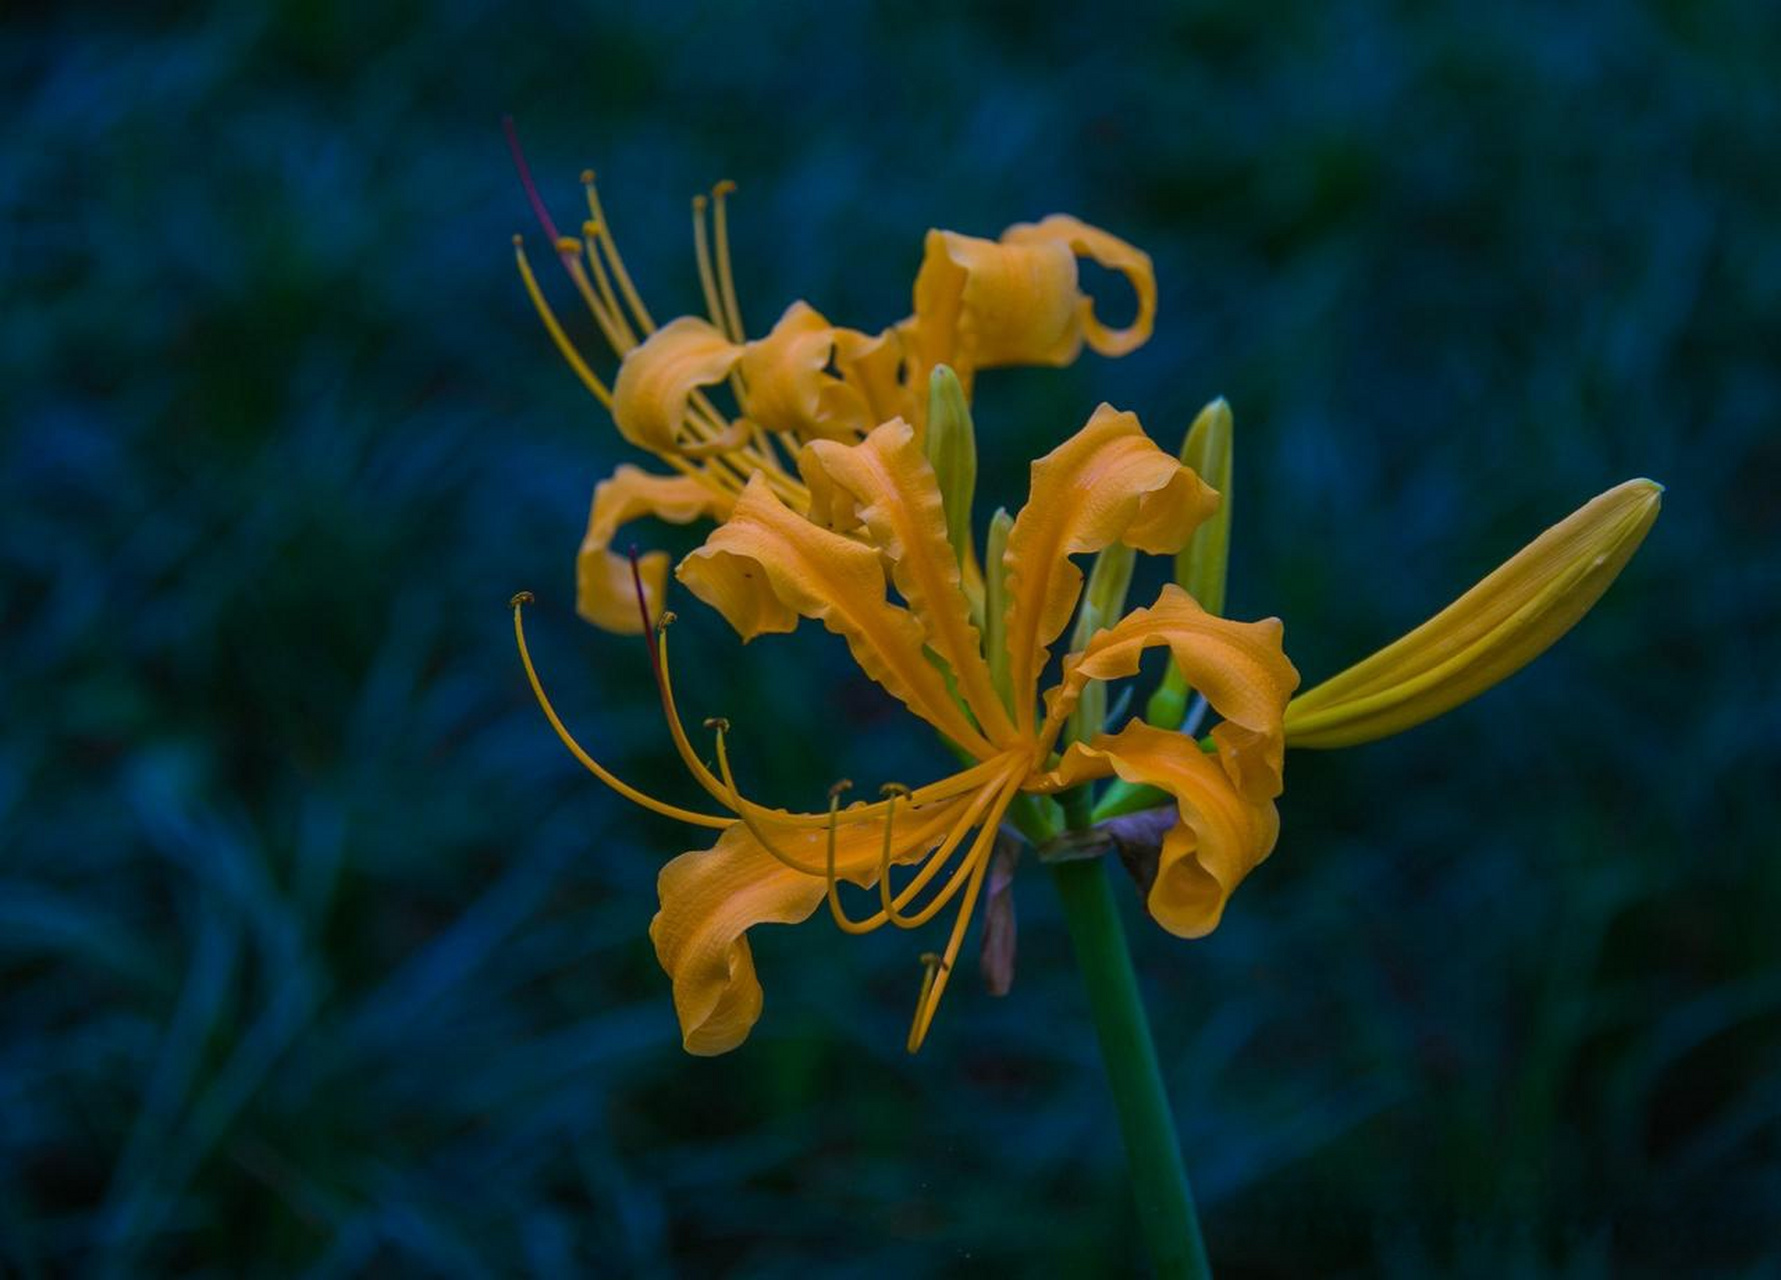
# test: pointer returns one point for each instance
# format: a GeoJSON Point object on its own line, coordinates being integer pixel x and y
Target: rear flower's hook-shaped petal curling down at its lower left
{"type": "Point", "coordinates": [605, 592]}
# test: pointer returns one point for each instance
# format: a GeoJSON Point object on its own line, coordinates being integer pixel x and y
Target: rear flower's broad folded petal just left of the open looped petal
{"type": "Point", "coordinates": [980, 304]}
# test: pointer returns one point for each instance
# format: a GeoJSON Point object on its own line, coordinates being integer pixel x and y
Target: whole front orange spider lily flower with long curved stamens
{"type": "Point", "coordinates": [877, 506]}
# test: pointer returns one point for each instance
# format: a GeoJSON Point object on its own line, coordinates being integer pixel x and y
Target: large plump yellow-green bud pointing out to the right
{"type": "Point", "coordinates": [1488, 635]}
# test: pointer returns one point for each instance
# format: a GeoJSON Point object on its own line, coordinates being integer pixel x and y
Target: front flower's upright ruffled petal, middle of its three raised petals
{"type": "Point", "coordinates": [895, 494]}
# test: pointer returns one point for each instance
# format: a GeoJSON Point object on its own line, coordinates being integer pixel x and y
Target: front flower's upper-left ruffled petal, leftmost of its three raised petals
{"type": "Point", "coordinates": [767, 567]}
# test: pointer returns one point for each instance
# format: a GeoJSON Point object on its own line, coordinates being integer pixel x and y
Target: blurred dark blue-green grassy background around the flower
{"type": "Point", "coordinates": [321, 959]}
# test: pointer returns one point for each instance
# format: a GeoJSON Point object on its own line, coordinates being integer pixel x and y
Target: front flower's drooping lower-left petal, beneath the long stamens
{"type": "Point", "coordinates": [712, 898]}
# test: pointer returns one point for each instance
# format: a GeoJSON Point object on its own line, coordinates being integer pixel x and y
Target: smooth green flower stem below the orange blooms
{"type": "Point", "coordinates": [1153, 1151]}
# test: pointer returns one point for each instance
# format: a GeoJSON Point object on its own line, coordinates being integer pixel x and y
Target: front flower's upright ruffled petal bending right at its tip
{"type": "Point", "coordinates": [1103, 485]}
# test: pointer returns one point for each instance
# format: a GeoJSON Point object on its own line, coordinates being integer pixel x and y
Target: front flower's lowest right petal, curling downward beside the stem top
{"type": "Point", "coordinates": [1221, 834]}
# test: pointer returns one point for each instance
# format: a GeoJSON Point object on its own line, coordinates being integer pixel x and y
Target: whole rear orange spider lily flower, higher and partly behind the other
{"type": "Point", "coordinates": [979, 304]}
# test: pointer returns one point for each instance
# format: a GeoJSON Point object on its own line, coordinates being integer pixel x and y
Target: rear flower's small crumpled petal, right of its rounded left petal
{"type": "Point", "coordinates": [790, 387]}
